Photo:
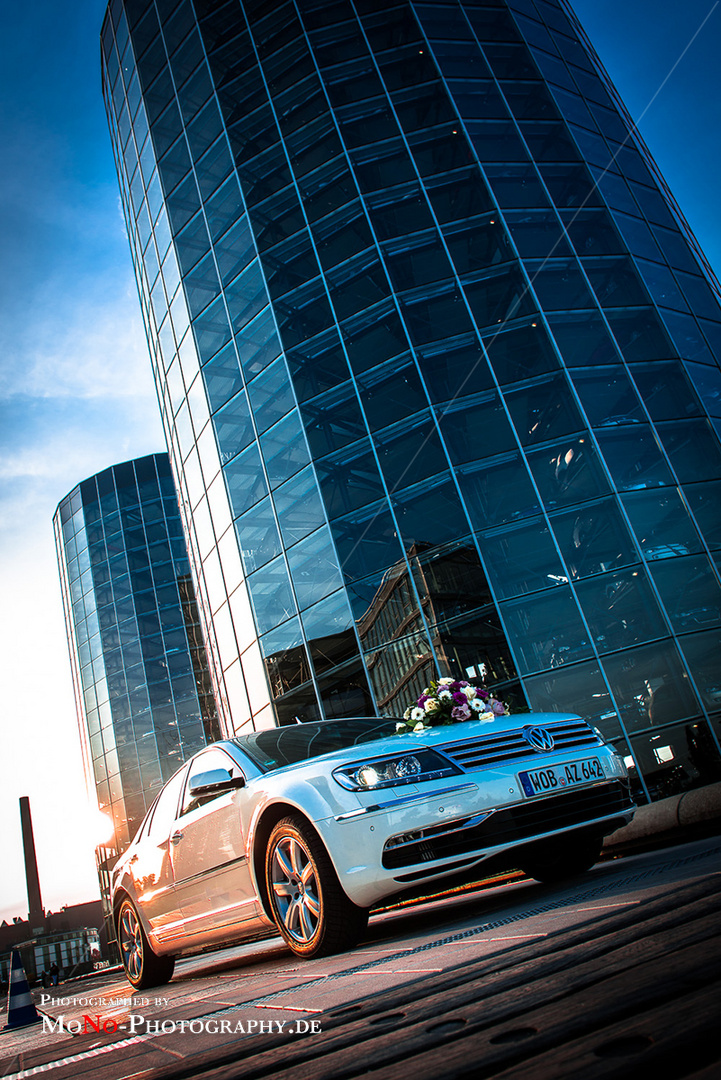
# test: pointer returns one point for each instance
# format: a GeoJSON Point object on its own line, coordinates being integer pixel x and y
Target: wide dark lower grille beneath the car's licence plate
{"type": "Point", "coordinates": [511, 827]}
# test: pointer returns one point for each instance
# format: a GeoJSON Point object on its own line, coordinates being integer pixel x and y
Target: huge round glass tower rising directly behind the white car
{"type": "Point", "coordinates": [438, 359]}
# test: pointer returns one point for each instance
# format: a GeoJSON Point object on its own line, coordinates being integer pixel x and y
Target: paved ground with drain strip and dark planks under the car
{"type": "Point", "coordinates": [479, 983]}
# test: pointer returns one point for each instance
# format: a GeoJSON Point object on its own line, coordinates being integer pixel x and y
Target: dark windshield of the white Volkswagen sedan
{"type": "Point", "coordinates": [275, 748]}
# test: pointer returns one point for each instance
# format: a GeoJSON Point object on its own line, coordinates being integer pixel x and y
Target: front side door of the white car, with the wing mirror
{"type": "Point", "coordinates": [213, 882]}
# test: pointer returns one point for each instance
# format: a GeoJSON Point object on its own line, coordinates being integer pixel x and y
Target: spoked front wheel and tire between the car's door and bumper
{"type": "Point", "coordinates": [309, 906]}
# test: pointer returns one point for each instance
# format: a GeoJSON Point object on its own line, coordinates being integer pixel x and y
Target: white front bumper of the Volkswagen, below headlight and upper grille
{"type": "Point", "coordinates": [429, 833]}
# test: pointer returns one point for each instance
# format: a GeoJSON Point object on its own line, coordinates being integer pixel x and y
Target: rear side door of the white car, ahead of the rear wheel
{"type": "Point", "coordinates": [152, 869]}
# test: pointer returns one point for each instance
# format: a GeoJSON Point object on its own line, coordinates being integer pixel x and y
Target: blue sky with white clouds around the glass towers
{"type": "Point", "coordinates": [76, 390]}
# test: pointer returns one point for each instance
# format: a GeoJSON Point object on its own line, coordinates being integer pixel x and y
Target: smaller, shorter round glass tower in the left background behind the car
{"type": "Point", "coordinates": [141, 674]}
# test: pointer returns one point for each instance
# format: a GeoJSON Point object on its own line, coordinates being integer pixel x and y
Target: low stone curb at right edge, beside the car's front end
{"type": "Point", "coordinates": [698, 809]}
